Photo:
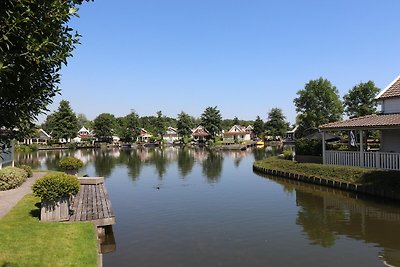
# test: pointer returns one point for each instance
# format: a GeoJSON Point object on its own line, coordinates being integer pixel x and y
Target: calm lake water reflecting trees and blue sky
{"type": "Point", "coordinates": [178, 207]}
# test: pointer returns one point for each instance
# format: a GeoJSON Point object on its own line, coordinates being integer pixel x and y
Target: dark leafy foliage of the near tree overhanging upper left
{"type": "Point", "coordinates": [35, 41]}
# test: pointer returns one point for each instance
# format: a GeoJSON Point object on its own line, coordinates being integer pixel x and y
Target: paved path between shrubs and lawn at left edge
{"type": "Point", "coordinates": [9, 198]}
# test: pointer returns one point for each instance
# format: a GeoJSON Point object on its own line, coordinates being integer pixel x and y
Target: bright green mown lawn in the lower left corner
{"type": "Point", "coordinates": [25, 241]}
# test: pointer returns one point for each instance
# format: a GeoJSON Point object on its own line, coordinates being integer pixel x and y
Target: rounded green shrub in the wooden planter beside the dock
{"type": "Point", "coordinates": [54, 185]}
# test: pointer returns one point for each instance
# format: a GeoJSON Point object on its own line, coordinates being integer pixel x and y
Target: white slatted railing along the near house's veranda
{"type": "Point", "coordinates": [380, 160]}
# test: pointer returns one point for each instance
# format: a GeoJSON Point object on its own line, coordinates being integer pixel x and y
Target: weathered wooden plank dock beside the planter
{"type": "Point", "coordinates": [92, 203]}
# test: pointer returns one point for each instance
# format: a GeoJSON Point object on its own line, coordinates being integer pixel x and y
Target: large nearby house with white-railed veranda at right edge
{"type": "Point", "coordinates": [387, 122]}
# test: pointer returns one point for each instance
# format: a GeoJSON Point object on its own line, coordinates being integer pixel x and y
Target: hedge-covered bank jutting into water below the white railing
{"type": "Point", "coordinates": [378, 178]}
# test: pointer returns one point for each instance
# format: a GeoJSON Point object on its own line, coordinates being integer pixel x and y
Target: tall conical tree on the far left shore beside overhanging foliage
{"type": "Point", "coordinates": [63, 123]}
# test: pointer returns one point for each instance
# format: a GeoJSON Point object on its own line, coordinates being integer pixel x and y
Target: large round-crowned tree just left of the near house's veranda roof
{"type": "Point", "coordinates": [318, 103]}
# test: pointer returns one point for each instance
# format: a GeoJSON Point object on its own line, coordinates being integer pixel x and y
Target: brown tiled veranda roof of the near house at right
{"type": "Point", "coordinates": [375, 121]}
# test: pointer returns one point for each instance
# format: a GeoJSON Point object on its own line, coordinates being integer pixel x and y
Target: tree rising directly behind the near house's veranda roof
{"type": "Point", "coordinates": [360, 101]}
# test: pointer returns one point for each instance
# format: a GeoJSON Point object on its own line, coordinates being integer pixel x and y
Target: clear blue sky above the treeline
{"type": "Point", "coordinates": [244, 56]}
